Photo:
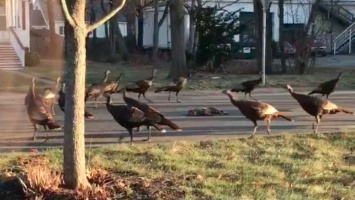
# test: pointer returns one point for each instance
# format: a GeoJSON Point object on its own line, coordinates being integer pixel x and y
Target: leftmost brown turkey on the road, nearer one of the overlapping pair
{"type": "Point", "coordinates": [37, 112]}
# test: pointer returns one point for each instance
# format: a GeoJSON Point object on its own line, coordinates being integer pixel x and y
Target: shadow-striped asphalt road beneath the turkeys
{"type": "Point", "coordinates": [16, 130]}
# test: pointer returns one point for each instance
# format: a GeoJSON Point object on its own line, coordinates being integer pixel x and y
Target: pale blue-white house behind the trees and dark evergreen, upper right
{"type": "Point", "coordinates": [296, 15]}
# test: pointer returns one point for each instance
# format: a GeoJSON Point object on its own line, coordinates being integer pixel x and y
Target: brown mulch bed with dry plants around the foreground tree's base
{"type": "Point", "coordinates": [33, 179]}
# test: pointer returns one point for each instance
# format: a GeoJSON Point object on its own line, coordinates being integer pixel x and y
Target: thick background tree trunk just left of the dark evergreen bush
{"type": "Point", "coordinates": [178, 64]}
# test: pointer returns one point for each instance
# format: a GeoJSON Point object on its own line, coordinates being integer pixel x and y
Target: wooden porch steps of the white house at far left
{"type": "Point", "coordinates": [9, 60]}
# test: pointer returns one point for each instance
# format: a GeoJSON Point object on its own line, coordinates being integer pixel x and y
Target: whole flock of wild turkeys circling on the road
{"type": "Point", "coordinates": [134, 114]}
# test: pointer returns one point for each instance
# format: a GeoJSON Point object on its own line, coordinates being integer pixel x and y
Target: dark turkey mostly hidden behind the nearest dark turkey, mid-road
{"type": "Point", "coordinates": [150, 112]}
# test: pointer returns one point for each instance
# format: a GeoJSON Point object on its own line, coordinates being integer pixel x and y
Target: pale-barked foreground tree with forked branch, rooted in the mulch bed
{"type": "Point", "coordinates": [74, 124]}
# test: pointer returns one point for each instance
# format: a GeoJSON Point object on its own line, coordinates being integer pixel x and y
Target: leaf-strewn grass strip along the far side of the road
{"type": "Point", "coordinates": [203, 81]}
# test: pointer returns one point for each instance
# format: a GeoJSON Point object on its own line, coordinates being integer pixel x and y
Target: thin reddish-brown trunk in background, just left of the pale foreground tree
{"type": "Point", "coordinates": [52, 34]}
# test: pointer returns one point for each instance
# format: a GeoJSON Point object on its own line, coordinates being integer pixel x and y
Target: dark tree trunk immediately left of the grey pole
{"type": "Point", "coordinates": [258, 25]}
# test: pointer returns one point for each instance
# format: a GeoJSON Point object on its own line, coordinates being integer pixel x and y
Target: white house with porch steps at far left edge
{"type": "Point", "coordinates": [14, 33]}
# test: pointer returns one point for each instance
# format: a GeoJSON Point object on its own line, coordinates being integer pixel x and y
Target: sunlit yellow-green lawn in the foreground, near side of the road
{"type": "Point", "coordinates": [283, 167]}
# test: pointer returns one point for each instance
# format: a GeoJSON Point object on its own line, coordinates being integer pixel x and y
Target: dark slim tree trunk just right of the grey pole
{"type": "Point", "coordinates": [282, 36]}
